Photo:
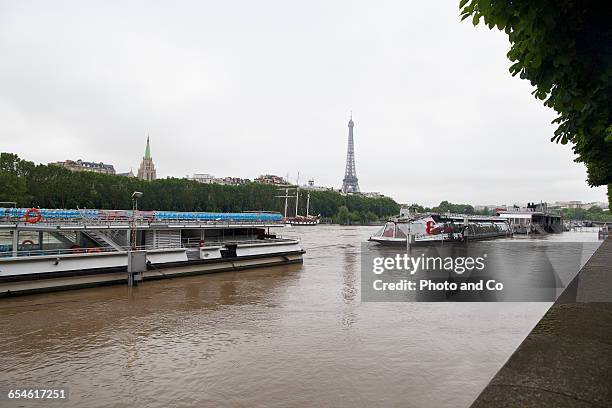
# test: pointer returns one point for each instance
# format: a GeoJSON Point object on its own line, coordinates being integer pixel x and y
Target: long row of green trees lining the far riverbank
{"type": "Point", "coordinates": [56, 187]}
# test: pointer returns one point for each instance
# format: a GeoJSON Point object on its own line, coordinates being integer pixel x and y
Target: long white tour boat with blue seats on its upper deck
{"type": "Point", "coordinates": [54, 249]}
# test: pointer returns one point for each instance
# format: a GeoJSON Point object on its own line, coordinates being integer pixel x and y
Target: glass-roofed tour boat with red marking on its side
{"type": "Point", "coordinates": [438, 228]}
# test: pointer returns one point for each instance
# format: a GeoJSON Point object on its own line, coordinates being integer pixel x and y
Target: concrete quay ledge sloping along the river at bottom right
{"type": "Point", "coordinates": [566, 361]}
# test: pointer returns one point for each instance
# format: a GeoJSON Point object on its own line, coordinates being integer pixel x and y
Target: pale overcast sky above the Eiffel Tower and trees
{"type": "Point", "coordinates": [243, 88]}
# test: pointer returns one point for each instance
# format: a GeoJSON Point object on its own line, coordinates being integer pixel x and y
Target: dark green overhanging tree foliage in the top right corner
{"type": "Point", "coordinates": [564, 48]}
